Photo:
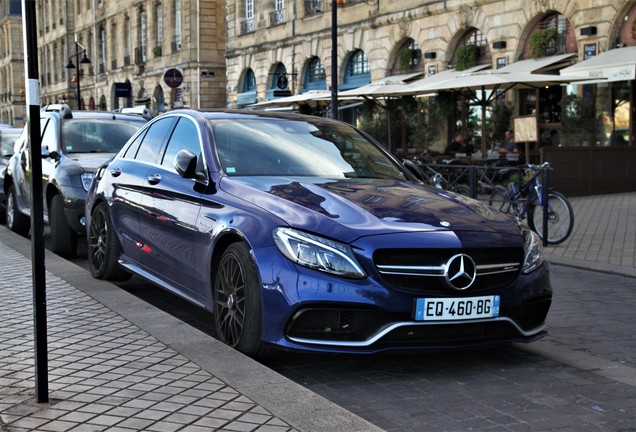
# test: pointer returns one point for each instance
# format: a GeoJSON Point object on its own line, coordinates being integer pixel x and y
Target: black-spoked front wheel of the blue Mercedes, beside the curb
{"type": "Point", "coordinates": [237, 301]}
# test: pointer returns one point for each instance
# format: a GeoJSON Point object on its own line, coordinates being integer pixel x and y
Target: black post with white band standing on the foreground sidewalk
{"type": "Point", "coordinates": [37, 213]}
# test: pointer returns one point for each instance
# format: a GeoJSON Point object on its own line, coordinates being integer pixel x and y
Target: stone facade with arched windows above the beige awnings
{"type": "Point", "coordinates": [267, 38]}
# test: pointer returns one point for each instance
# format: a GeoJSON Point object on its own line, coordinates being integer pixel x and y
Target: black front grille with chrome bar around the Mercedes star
{"type": "Point", "coordinates": [421, 271]}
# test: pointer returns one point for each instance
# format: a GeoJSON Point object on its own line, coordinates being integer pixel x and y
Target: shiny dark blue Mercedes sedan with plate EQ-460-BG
{"type": "Point", "coordinates": [302, 233]}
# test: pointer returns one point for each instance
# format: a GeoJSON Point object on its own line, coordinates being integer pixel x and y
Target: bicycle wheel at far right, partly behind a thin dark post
{"type": "Point", "coordinates": [560, 218]}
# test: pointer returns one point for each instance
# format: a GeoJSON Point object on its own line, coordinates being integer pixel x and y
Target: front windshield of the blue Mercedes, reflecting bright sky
{"type": "Point", "coordinates": [275, 147]}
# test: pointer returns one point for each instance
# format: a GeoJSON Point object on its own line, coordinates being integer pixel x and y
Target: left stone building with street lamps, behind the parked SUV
{"type": "Point", "coordinates": [129, 52]}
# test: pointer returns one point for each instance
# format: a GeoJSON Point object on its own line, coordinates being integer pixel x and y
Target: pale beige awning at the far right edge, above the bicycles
{"type": "Point", "coordinates": [614, 65]}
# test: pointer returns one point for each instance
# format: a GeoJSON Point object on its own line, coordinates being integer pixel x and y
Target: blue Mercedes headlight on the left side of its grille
{"type": "Point", "coordinates": [317, 253]}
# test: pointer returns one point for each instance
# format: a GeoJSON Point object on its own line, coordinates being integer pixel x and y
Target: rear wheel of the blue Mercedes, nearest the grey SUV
{"type": "Point", "coordinates": [103, 249]}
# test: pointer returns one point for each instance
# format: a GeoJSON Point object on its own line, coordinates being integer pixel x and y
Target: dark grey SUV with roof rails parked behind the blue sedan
{"type": "Point", "coordinates": [74, 144]}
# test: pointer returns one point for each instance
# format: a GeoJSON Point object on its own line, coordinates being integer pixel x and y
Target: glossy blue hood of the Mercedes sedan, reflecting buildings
{"type": "Point", "coordinates": [350, 208]}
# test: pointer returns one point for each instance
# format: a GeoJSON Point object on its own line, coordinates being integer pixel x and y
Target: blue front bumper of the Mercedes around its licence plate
{"type": "Point", "coordinates": [311, 311]}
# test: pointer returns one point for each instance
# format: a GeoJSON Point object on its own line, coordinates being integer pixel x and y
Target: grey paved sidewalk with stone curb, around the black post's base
{"type": "Point", "coordinates": [135, 369]}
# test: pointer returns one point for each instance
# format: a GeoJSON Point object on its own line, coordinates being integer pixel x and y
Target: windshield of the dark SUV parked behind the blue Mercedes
{"type": "Point", "coordinates": [96, 136]}
